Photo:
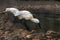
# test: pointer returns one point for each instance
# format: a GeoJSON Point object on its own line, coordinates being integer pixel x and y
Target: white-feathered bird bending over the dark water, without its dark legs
{"type": "Point", "coordinates": [22, 14]}
